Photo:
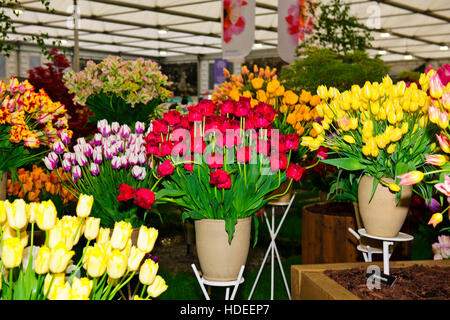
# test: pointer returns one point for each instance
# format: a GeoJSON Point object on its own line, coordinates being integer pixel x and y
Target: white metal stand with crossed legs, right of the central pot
{"type": "Point", "coordinates": [273, 248]}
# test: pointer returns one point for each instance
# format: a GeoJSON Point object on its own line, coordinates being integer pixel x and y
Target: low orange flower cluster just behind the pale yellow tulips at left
{"type": "Point", "coordinates": [36, 182]}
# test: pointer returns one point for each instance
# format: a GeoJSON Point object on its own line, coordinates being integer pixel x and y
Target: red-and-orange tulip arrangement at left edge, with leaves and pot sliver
{"type": "Point", "coordinates": [29, 121]}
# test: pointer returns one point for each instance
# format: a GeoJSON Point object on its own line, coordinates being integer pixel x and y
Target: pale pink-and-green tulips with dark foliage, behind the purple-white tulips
{"type": "Point", "coordinates": [119, 90]}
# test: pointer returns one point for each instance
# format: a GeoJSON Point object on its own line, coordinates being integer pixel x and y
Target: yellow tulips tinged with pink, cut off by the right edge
{"type": "Point", "coordinates": [437, 84]}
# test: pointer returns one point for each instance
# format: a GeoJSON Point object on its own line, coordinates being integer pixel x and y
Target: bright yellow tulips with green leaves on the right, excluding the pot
{"type": "Point", "coordinates": [380, 129]}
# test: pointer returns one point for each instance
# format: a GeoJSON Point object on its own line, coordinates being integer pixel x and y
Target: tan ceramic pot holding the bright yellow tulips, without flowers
{"type": "Point", "coordinates": [381, 216]}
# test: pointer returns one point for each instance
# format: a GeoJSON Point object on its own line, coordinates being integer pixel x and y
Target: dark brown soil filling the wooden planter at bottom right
{"type": "Point", "coordinates": [417, 282]}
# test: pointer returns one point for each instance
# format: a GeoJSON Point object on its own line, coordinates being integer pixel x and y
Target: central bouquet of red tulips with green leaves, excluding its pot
{"type": "Point", "coordinates": [222, 161]}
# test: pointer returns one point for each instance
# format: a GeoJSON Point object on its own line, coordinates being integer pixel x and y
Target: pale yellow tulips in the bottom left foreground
{"type": "Point", "coordinates": [47, 272]}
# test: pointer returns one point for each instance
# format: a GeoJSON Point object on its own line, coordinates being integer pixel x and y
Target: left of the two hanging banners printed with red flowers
{"type": "Point", "coordinates": [238, 29]}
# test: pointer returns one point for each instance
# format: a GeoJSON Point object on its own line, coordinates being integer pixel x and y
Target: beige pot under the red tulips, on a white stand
{"type": "Point", "coordinates": [220, 260]}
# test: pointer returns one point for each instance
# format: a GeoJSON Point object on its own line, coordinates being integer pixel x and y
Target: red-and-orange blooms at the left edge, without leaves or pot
{"type": "Point", "coordinates": [34, 118]}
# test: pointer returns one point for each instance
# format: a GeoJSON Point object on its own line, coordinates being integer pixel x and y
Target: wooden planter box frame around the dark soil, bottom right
{"type": "Point", "coordinates": [308, 282]}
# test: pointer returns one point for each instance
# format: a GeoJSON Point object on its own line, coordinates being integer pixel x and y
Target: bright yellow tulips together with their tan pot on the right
{"type": "Point", "coordinates": [381, 131]}
